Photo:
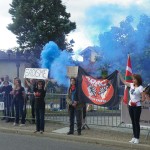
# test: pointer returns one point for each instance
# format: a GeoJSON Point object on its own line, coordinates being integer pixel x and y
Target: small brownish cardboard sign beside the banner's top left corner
{"type": "Point", "coordinates": [72, 71]}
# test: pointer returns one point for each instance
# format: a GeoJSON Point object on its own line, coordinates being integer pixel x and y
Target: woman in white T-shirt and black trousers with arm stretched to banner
{"type": "Point", "coordinates": [136, 97]}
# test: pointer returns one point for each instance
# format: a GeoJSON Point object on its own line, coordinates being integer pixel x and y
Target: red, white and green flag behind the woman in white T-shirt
{"type": "Point", "coordinates": [128, 78]}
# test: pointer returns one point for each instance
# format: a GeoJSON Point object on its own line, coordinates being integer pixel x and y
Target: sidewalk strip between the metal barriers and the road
{"type": "Point", "coordinates": [110, 136]}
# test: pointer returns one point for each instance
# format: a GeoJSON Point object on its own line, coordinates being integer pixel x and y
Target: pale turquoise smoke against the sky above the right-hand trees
{"type": "Point", "coordinates": [101, 18]}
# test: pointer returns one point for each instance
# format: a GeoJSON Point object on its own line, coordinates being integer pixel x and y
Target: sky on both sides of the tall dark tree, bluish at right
{"type": "Point", "coordinates": [92, 17]}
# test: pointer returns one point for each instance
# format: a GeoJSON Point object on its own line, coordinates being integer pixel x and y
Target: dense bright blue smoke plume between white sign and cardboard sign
{"type": "Point", "coordinates": [56, 61]}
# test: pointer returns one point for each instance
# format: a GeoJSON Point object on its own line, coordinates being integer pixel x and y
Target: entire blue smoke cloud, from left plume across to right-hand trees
{"type": "Point", "coordinates": [117, 30]}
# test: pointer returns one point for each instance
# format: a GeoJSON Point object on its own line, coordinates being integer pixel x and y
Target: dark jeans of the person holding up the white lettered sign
{"type": "Point", "coordinates": [40, 112]}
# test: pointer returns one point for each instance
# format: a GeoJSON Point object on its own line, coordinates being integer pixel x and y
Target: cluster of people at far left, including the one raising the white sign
{"type": "Point", "coordinates": [15, 95]}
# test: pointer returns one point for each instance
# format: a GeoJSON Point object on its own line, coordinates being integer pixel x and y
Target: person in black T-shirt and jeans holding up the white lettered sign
{"type": "Point", "coordinates": [39, 93]}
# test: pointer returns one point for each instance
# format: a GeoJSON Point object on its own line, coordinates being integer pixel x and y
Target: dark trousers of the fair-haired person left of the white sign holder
{"type": "Point", "coordinates": [19, 108]}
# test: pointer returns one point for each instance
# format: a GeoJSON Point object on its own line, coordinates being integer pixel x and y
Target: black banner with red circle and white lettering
{"type": "Point", "coordinates": [102, 92]}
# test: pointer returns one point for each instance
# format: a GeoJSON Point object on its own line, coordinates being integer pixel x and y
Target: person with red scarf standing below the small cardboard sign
{"type": "Point", "coordinates": [75, 108]}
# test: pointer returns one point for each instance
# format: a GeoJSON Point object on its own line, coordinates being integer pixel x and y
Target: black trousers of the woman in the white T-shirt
{"type": "Point", "coordinates": [135, 113]}
